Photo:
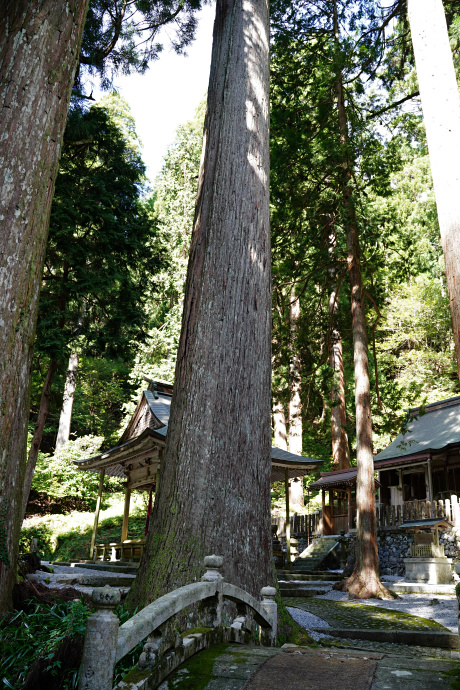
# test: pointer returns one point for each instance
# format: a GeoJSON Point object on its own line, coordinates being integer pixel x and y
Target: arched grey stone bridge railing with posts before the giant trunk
{"type": "Point", "coordinates": [106, 642]}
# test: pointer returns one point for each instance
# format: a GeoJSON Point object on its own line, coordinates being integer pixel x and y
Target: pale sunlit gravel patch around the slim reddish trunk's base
{"type": "Point", "coordinates": [441, 608]}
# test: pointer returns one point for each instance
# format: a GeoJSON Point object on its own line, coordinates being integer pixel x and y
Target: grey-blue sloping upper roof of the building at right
{"type": "Point", "coordinates": [434, 430]}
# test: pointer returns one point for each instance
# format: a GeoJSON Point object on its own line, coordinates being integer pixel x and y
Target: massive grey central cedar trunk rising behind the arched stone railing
{"type": "Point", "coordinates": [214, 494]}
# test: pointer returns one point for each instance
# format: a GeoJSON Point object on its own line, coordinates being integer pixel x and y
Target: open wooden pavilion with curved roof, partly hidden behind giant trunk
{"type": "Point", "coordinates": [139, 456]}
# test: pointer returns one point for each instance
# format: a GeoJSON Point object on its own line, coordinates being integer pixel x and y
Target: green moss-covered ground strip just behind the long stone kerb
{"type": "Point", "coordinates": [348, 614]}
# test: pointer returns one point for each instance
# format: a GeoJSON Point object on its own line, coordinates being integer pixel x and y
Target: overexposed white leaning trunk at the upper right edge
{"type": "Point", "coordinates": [441, 115]}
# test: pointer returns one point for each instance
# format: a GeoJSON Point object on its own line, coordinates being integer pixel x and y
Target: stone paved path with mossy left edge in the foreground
{"type": "Point", "coordinates": [233, 667]}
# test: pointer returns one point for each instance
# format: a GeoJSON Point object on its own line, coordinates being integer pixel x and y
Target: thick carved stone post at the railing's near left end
{"type": "Point", "coordinates": [100, 646]}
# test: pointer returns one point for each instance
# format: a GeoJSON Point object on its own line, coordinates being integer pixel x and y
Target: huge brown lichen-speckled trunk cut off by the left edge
{"type": "Point", "coordinates": [39, 47]}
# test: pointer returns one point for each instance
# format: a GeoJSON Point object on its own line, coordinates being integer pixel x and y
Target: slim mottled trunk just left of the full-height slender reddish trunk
{"type": "Point", "coordinates": [340, 452]}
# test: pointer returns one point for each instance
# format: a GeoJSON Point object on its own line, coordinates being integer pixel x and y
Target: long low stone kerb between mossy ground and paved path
{"type": "Point", "coordinates": [421, 638]}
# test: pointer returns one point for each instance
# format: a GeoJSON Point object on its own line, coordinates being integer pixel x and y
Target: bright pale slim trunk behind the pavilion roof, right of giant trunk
{"type": "Point", "coordinates": [295, 404]}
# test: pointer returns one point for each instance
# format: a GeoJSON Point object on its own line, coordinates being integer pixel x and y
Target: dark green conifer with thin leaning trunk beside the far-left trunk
{"type": "Point", "coordinates": [100, 256]}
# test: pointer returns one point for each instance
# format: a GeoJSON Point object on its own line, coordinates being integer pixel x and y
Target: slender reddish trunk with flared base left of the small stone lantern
{"type": "Point", "coordinates": [364, 582]}
